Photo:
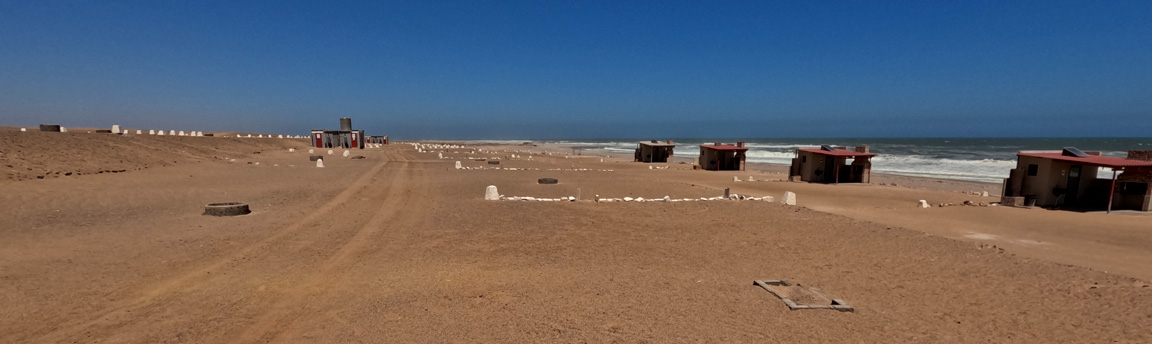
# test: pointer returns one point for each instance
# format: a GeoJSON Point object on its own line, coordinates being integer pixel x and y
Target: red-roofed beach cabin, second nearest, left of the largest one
{"type": "Point", "coordinates": [831, 165]}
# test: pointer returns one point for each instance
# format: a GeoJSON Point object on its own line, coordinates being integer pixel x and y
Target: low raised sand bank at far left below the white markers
{"type": "Point", "coordinates": [35, 155]}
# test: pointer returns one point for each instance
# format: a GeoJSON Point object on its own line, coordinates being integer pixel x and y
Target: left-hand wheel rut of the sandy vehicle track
{"type": "Point", "coordinates": [198, 278]}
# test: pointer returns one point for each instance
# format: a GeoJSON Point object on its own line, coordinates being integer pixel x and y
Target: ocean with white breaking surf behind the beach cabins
{"type": "Point", "coordinates": [965, 159]}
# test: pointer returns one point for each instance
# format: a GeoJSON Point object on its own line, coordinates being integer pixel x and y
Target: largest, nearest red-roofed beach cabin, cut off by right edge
{"type": "Point", "coordinates": [1070, 180]}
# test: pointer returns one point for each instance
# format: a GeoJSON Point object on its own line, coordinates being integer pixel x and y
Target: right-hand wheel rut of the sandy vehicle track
{"type": "Point", "coordinates": [276, 325]}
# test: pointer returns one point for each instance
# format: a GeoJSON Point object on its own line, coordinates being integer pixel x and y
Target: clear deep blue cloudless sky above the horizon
{"type": "Point", "coordinates": [585, 70]}
